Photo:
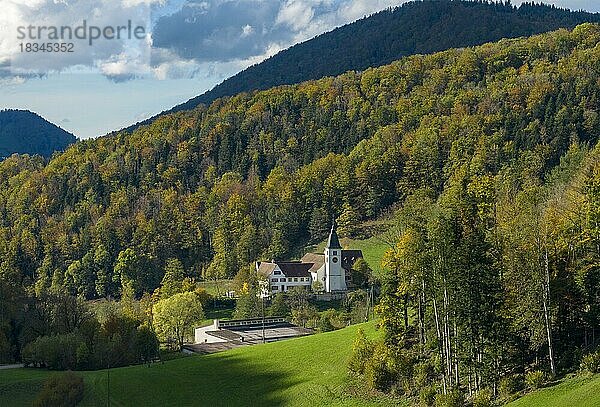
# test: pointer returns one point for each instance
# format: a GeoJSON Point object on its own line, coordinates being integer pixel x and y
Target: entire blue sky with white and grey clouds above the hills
{"type": "Point", "coordinates": [181, 48]}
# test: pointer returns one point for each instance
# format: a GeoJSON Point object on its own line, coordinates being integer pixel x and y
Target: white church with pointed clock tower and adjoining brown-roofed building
{"type": "Point", "coordinates": [332, 268]}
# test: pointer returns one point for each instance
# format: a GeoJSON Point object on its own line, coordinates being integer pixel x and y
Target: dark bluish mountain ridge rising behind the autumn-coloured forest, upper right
{"type": "Point", "coordinates": [419, 27]}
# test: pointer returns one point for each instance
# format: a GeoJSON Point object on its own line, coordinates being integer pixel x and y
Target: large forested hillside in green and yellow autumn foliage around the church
{"type": "Point", "coordinates": [490, 155]}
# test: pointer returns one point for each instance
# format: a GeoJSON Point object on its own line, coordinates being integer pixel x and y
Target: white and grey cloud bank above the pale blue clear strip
{"type": "Point", "coordinates": [189, 37]}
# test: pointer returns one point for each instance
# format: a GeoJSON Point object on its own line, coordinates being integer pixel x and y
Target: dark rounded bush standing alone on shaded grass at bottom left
{"type": "Point", "coordinates": [63, 390]}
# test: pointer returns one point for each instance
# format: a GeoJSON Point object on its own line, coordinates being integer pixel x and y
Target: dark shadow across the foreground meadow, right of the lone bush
{"type": "Point", "coordinates": [213, 380]}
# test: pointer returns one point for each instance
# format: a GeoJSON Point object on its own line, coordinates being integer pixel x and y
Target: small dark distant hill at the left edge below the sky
{"type": "Point", "coordinates": [25, 132]}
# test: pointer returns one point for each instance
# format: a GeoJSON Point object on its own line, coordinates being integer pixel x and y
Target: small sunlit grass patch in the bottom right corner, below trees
{"type": "Point", "coordinates": [577, 392]}
